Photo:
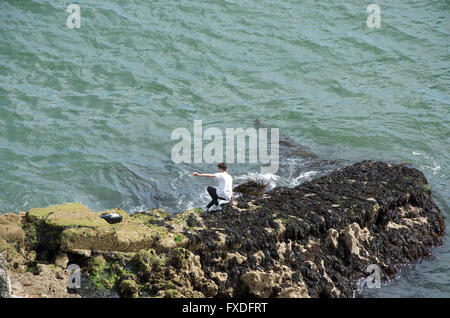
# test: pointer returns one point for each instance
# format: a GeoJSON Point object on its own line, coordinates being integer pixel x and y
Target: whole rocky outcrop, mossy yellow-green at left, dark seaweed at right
{"type": "Point", "coordinates": [314, 240]}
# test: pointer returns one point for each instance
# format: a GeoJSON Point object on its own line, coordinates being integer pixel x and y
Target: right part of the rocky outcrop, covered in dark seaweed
{"type": "Point", "coordinates": [324, 233]}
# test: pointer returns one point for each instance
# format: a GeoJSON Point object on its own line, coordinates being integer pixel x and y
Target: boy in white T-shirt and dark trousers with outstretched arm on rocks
{"type": "Point", "coordinates": [225, 190]}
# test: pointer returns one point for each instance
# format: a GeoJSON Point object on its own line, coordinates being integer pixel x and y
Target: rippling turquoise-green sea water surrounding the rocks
{"type": "Point", "coordinates": [87, 114]}
